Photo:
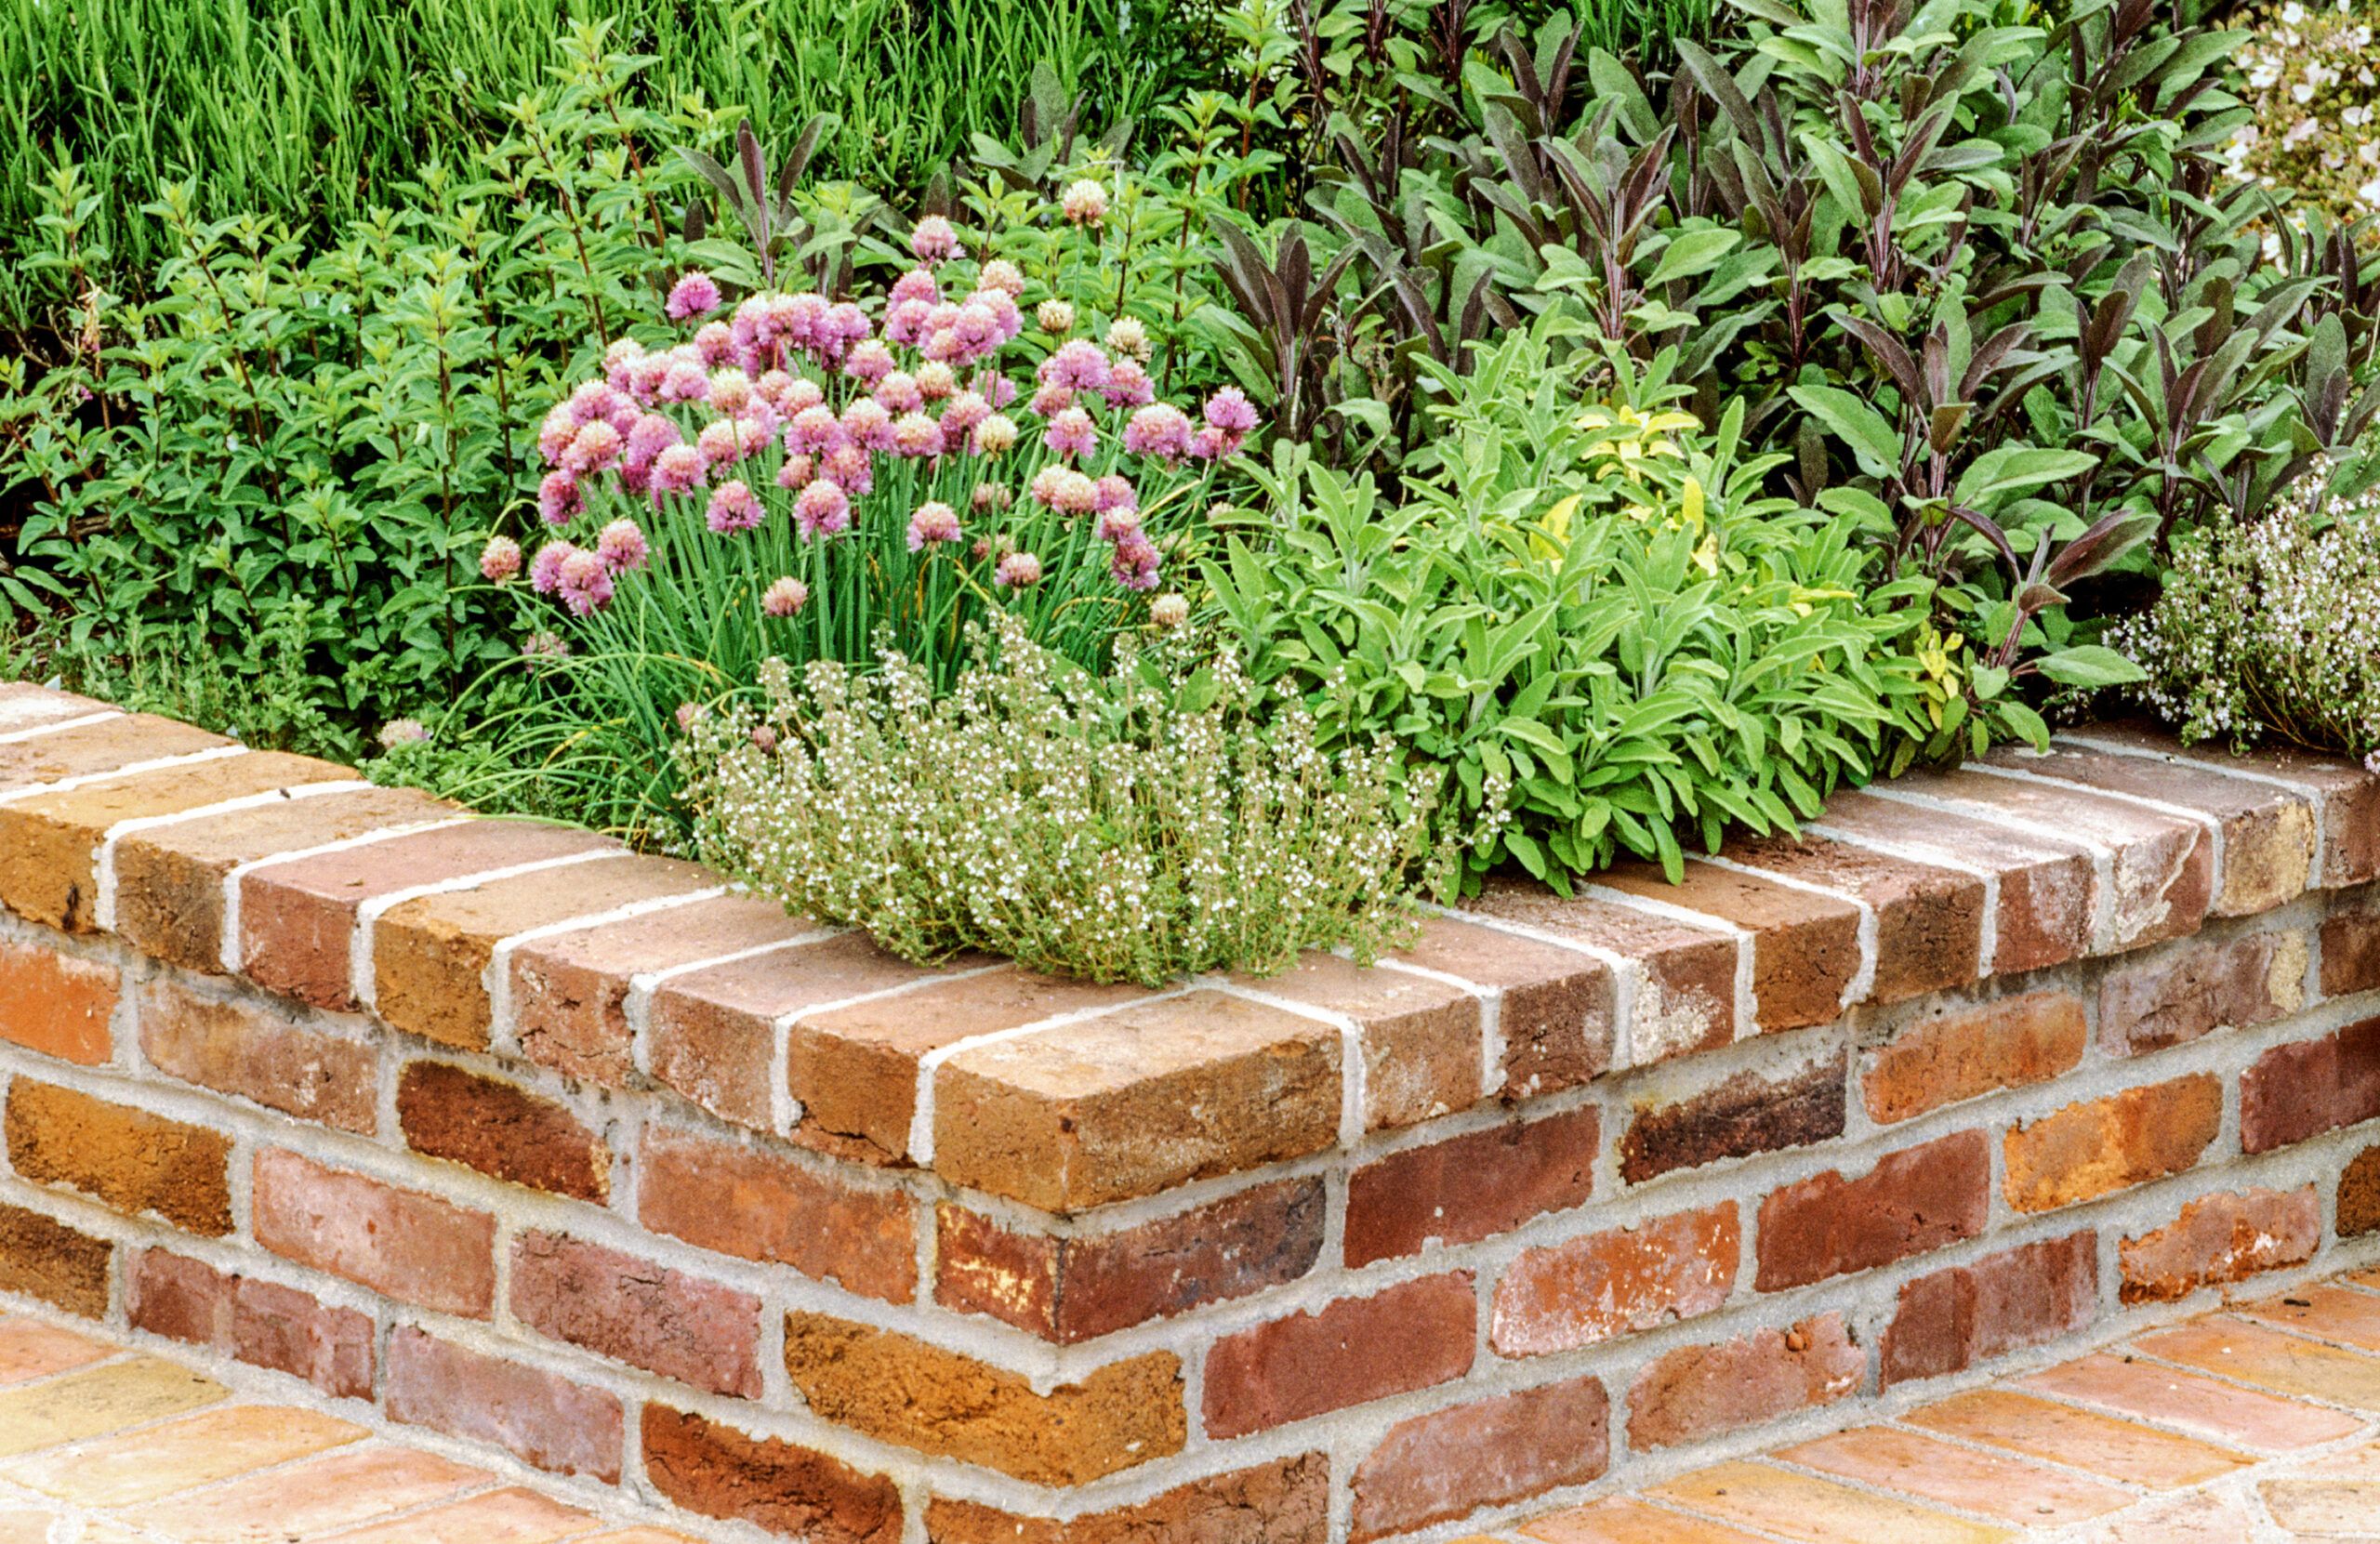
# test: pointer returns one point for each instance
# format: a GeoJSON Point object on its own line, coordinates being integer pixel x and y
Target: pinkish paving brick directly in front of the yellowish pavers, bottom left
{"type": "Point", "coordinates": [318, 1498]}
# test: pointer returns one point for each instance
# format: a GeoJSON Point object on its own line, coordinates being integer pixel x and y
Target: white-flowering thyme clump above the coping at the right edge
{"type": "Point", "coordinates": [2272, 629]}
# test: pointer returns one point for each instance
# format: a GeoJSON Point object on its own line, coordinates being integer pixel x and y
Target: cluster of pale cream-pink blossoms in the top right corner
{"type": "Point", "coordinates": [2317, 106]}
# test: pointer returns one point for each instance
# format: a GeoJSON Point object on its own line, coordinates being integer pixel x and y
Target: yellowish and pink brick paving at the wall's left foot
{"type": "Point", "coordinates": [108, 1445]}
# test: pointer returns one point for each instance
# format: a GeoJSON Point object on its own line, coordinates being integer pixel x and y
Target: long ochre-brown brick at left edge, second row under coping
{"type": "Point", "coordinates": [123, 1157]}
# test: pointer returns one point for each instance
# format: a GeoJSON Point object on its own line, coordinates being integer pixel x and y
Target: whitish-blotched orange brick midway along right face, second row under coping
{"type": "Point", "coordinates": [1615, 1283]}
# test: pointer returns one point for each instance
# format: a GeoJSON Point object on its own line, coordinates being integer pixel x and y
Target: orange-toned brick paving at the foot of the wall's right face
{"type": "Point", "coordinates": [2250, 1426]}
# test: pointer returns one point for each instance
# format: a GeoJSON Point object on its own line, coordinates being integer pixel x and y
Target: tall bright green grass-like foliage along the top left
{"type": "Point", "coordinates": [313, 111]}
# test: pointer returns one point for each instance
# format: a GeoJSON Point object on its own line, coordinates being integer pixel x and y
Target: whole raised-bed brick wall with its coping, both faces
{"type": "Point", "coordinates": [580, 1157]}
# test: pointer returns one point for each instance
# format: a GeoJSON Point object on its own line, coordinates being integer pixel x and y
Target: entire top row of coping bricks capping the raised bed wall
{"type": "Point", "coordinates": [634, 972]}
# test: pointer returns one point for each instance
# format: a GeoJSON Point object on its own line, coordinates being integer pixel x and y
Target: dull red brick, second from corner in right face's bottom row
{"type": "Point", "coordinates": [1493, 1452]}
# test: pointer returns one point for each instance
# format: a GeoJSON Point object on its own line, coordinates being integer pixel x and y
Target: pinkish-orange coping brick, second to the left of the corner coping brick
{"type": "Point", "coordinates": [715, 1031]}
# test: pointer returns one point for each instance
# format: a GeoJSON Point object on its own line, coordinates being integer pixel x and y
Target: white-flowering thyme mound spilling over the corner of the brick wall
{"type": "Point", "coordinates": [1155, 822]}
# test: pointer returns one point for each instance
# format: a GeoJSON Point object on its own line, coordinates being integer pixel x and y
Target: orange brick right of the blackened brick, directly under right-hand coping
{"type": "Point", "coordinates": [1960, 1053]}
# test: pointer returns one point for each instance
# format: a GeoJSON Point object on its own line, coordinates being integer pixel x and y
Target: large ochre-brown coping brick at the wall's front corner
{"type": "Point", "coordinates": [1136, 1103]}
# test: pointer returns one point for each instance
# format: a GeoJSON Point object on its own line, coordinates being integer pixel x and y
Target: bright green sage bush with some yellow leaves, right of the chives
{"type": "Point", "coordinates": [1591, 615]}
